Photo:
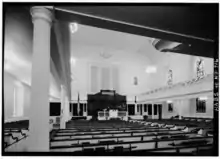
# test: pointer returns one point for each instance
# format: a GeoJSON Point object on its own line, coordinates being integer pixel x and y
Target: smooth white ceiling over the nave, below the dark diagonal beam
{"type": "Point", "coordinates": [89, 42]}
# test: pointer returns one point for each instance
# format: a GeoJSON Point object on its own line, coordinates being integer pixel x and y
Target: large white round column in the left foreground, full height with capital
{"type": "Point", "coordinates": [39, 105]}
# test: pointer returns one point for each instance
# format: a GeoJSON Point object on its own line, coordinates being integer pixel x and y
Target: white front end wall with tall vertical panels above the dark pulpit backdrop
{"type": "Point", "coordinates": [121, 78]}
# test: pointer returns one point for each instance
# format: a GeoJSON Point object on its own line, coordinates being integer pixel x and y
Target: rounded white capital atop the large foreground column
{"type": "Point", "coordinates": [41, 12]}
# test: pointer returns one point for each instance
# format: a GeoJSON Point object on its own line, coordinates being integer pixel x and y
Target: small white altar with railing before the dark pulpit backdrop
{"type": "Point", "coordinates": [112, 114]}
